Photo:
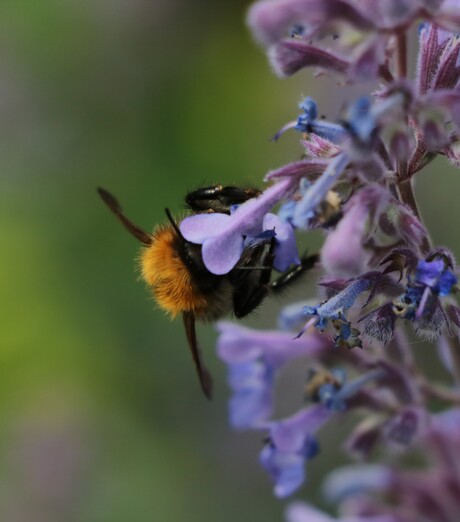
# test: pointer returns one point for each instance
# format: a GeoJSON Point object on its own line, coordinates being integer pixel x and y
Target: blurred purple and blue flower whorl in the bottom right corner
{"type": "Point", "coordinates": [379, 493]}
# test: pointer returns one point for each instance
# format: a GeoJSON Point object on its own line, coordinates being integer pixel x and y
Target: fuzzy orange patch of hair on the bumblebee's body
{"type": "Point", "coordinates": [165, 272]}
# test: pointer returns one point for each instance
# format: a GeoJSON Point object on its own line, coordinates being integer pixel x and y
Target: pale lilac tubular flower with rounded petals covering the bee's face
{"type": "Point", "coordinates": [222, 235]}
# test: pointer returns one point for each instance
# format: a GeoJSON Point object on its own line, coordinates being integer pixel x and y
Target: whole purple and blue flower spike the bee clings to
{"type": "Point", "coordinates": [381, 274]}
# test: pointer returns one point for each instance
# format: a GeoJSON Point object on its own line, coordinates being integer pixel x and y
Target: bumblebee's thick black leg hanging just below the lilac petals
{"type": "Point", "coordinates": [249, 294]}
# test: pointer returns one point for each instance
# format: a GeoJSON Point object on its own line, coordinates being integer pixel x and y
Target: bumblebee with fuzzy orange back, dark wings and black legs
{"type": "Point", "coordinates": [173, 269]}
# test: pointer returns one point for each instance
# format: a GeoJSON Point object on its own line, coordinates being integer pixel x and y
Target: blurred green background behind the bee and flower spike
{"type": "Point", "coordinates": [101, 417]}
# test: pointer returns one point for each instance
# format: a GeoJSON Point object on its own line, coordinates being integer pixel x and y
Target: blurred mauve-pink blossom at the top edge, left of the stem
{"type": "Point", "coordinates": [293, 32]}
